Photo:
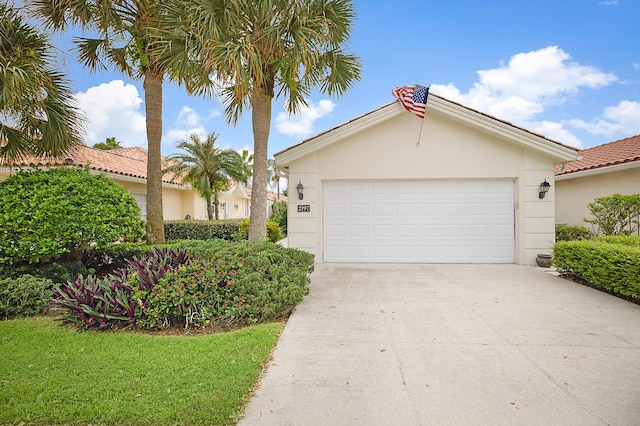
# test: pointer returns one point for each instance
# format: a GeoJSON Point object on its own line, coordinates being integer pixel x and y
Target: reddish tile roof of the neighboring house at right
{"type": "Point", "coordinates": [618, 152]}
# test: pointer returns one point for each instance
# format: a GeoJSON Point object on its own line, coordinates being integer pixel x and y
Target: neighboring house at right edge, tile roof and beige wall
{"type": "Point", "coordinates": [603, 170]}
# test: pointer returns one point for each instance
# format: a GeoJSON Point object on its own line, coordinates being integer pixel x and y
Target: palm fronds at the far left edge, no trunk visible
{"type": "Point", "coordinates": [37, 113]}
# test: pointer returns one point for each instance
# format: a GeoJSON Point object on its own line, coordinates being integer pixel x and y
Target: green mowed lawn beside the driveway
{"type": "Point", "coordinates": [57, 375]}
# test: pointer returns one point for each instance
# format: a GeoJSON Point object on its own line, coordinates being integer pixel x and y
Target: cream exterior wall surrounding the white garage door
{"type": "Point", "coordinates": [448, 149]}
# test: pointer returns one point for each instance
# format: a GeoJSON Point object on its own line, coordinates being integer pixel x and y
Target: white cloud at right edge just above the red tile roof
{"type": "Point", "coordinates": [616, 121]}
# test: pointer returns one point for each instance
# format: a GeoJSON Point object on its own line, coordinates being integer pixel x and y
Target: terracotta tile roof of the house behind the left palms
{"type": "Point", "coordinates": [122, 161]}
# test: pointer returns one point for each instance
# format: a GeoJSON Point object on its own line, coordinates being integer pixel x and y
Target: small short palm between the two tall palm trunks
{"type": "Point", "coordinates": [209, 169]}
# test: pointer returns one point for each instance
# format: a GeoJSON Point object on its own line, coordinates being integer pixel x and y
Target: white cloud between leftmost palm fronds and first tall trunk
{"type": "Point", "coordinates": [113, 110]}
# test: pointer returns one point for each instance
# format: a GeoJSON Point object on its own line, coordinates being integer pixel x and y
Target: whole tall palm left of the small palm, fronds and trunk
{"type": "Point", "coordinates": [124, 31]}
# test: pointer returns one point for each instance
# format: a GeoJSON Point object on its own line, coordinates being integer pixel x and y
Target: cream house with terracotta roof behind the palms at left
{"type": "Point", "coordinates": [128, 168]}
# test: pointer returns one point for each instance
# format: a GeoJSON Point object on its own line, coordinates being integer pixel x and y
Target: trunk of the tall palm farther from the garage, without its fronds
{"type": "Point", "coordinates": [153, 104]}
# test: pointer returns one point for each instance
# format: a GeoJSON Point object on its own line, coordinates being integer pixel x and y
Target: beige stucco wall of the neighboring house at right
{"type": "Point", "coordinates": [574, 193]}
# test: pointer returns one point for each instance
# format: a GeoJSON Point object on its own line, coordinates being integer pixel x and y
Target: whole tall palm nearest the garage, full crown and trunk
{"type": "Point", "coordinates": [259, 50]}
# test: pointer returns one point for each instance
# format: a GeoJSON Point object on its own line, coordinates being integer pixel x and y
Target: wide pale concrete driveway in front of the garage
{"type": "Point", "coordinates": [452, 345]}
